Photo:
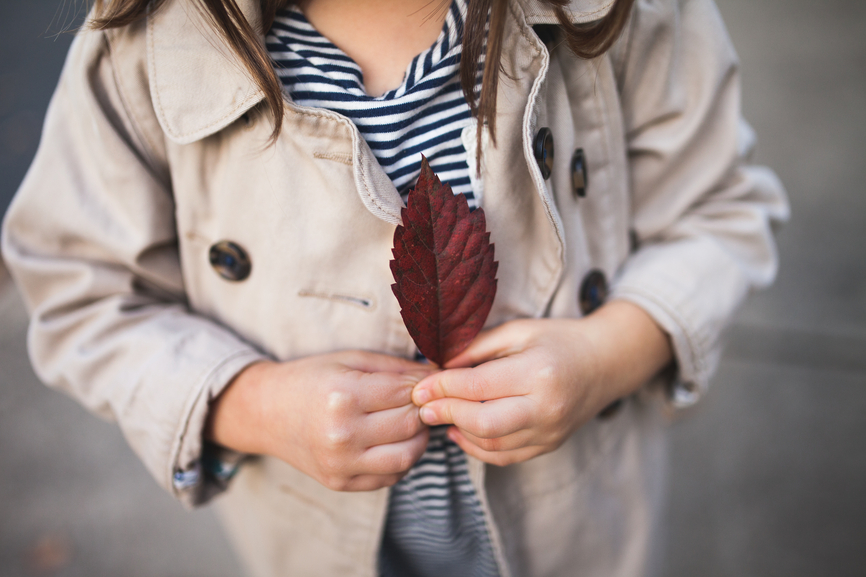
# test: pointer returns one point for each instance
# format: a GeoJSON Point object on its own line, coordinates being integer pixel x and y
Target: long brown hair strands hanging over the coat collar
{"type": "Point", "coordinates": [586, 41]}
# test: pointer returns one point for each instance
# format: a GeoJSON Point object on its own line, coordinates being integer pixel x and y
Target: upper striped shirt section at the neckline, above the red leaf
{"type": "Point", "coordinates": [426, 114]}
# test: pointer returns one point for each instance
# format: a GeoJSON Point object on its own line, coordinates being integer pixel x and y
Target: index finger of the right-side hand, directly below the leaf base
{"type": "Point", "coordinates": [505, 377]}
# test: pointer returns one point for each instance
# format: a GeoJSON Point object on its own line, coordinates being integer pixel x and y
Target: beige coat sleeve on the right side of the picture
{"type": "Point", "coordinates": [703, 215]}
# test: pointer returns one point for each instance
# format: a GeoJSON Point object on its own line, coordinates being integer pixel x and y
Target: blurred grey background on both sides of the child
{"type": "Point", "coordinates": [769, 472]}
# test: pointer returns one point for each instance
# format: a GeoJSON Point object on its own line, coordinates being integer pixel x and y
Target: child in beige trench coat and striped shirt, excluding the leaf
{"type": "Point", "coordinates": [204, 242]}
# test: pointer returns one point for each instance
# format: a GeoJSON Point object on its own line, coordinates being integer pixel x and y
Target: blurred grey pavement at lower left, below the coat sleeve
{"type": "Point", "coordinates": [74, 500]}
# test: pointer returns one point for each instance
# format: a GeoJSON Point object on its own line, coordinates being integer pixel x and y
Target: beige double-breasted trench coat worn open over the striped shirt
{"type": "Point", "coordinates": [155, 149]}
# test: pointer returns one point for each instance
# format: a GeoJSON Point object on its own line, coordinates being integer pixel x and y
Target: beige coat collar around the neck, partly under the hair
{"type": "Point", "coordinates": [199, 86]}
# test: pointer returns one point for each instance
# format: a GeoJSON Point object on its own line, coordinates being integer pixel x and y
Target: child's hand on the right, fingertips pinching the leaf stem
{"type": "Point", "coordinates": [541, 379]}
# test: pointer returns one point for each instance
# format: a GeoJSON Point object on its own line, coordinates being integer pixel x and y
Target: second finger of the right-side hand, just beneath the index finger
{"type": "Point", "coordinates": [496, 418]}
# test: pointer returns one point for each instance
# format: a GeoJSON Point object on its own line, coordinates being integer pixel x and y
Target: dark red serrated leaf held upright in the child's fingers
{"type": "Point", "coordinates": [444, 268]}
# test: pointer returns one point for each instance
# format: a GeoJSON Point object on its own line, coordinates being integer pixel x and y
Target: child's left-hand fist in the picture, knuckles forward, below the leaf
{"type": "Point", "coordinates": [346, 419]}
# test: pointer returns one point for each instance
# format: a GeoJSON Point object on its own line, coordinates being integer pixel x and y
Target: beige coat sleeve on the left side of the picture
{"type": "Point", "coordinates": [91, 241]}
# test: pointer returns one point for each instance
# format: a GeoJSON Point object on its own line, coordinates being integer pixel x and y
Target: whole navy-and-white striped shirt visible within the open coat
{"type": "Point", "coordinates": [435, 524]}
